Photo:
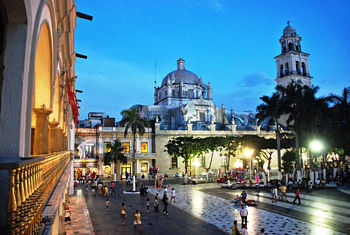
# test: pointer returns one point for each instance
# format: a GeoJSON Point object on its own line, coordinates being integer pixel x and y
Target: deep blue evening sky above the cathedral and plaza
{"type": "Point", "coordinates": [229, 43]}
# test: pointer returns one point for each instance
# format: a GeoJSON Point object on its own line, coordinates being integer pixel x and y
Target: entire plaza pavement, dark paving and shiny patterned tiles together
{"type": "Point", "coordinates": [207, 209]}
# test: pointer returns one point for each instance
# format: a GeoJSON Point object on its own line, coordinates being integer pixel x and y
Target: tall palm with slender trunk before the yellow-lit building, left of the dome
{"type": "Point", "coordinates": [132, 120]}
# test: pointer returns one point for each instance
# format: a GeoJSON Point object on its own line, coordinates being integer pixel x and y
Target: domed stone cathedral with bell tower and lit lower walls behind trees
{"type": "Point", "coordinates": [183, 106]}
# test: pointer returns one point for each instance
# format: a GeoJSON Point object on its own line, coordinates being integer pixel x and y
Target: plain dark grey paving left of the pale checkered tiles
{"type": "Point", "coordinates": [109, 222]}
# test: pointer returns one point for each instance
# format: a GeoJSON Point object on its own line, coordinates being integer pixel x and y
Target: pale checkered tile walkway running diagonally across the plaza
{"type": "Point", "coordinates": [221, 213]}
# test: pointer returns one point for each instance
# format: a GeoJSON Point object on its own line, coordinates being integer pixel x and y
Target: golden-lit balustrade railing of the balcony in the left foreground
{"type": "Point", "coordinates": [31, 182]}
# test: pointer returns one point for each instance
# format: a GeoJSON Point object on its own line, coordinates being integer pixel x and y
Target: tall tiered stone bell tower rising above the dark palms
{"type": "Point", "coordinates": [292, 64]}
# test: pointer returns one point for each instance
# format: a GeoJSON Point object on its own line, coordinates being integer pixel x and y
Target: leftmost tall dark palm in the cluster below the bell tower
{"type": "Point", "coordinates": [271, 110]}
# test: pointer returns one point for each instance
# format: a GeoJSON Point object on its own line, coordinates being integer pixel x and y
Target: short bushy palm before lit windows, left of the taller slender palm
{"type": "Point", "coordinates": [115, 154]}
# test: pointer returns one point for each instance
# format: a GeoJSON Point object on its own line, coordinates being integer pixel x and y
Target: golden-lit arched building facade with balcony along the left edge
{"type": "Point", "coordinates": [37, 90]}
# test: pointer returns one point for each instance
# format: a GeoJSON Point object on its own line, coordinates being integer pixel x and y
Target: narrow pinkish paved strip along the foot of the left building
{"type": "Point", "coordinates": [81, 222]}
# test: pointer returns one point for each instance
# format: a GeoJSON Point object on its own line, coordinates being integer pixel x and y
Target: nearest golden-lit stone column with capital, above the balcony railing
{"type": "Point", "coordinates": [41, 140]}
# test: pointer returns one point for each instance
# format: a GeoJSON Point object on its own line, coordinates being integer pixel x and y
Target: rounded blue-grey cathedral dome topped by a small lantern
{"type": "Point", "coordinates": [181, 75]}
